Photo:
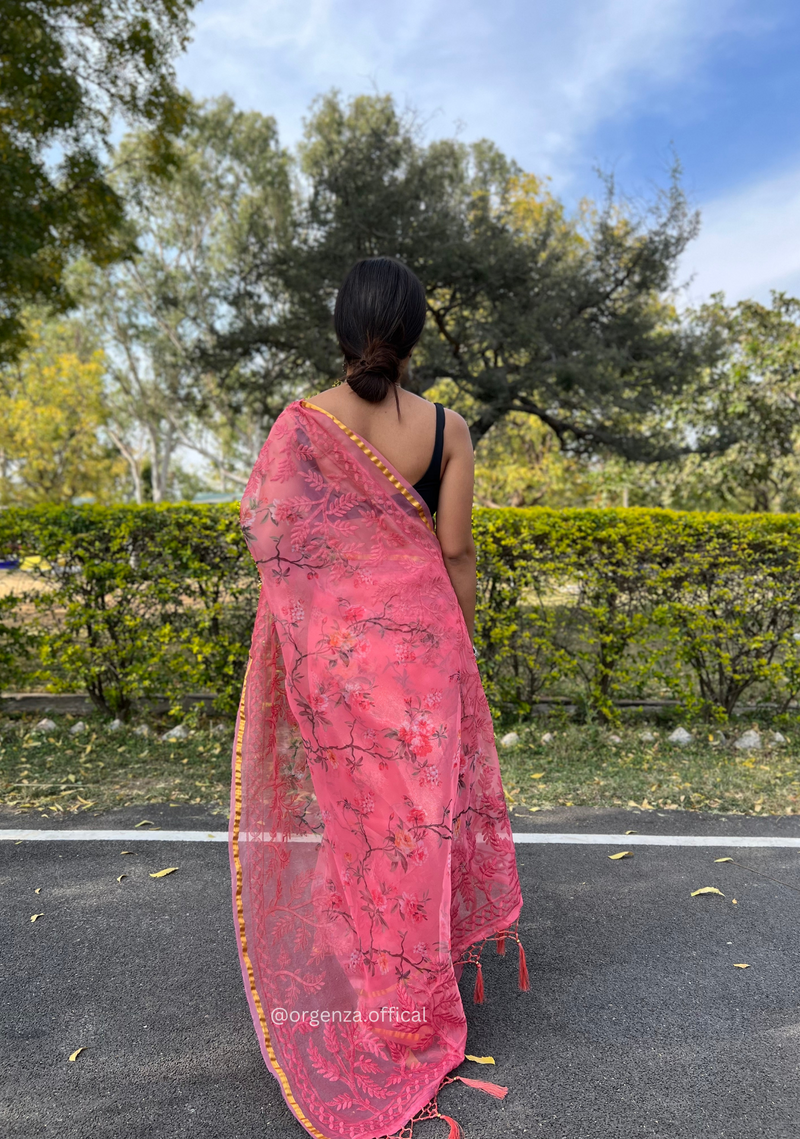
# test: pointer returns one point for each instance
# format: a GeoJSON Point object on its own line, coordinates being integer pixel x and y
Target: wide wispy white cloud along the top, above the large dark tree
{"type": "Point", "coordinates": [537, 78]}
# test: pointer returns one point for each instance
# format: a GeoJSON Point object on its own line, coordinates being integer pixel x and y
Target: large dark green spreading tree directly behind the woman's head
{"type": "Point", "coordinates": [569, 319]}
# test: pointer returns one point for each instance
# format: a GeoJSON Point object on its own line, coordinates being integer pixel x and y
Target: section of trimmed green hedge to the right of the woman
{"type": "Point", "coordinates": [705, 607]}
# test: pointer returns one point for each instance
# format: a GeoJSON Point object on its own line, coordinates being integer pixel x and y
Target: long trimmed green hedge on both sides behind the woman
{"type": "Point", "coordinates": [133, 602]}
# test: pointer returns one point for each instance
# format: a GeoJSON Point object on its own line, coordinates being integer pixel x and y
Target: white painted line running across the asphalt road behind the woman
{"type": "Point", "coordinates": [520, 838]}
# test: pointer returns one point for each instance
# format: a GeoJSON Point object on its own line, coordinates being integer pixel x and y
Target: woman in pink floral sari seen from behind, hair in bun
{"type": "Point", "coordinates": [370, 841]}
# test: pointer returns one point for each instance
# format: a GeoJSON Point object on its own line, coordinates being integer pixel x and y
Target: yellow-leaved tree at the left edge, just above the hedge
{"type": "Point", "coordinates": [52, 420]}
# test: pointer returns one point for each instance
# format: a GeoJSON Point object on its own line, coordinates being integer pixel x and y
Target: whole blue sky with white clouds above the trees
{"type": "Point", "coordinates": [565, 88]}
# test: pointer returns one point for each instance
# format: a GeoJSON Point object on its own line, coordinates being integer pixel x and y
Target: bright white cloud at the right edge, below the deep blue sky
{"type": "Point", "coordinates": [749, 243]}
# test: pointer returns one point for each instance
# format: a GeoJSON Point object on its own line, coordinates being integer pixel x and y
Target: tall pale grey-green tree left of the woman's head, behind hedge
{"type": "Point", "coordinates": [198, 233]}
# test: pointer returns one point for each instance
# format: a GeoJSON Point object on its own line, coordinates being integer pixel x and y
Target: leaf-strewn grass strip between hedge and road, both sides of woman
{"type": "Point", "coordinates": [579, 766]}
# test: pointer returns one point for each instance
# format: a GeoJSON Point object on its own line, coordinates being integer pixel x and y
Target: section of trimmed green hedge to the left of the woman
{"type": "Point", "coordinates": [134, 602]}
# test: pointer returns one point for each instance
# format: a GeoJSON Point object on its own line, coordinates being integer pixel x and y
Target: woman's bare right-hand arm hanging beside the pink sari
{"type": "Point", "coordinates": [454, 517]}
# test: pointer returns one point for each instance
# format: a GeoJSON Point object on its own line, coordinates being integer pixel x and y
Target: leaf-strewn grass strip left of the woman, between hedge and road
{"type": "Point", "coordinates": [59, 773]}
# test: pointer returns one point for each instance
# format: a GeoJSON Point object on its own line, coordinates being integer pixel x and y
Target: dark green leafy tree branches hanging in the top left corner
{"type": "Point", "coordinates": [69, 69]}
